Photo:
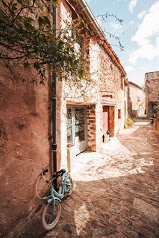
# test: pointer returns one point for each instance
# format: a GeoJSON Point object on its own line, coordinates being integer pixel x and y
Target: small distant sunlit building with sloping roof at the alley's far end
{"type": "Point", "coordinates": [136, 98]}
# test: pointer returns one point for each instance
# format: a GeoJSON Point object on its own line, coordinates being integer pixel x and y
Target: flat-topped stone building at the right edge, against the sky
{"type": "Point", "coordinates": [151, 91]}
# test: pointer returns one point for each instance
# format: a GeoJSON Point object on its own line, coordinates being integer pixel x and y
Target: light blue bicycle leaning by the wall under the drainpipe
{"type": "Point", "coordinates": [52, 211]}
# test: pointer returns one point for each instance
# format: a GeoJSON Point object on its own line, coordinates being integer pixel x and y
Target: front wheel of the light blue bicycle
{"type": "Point", "coordinates": [51, 215]}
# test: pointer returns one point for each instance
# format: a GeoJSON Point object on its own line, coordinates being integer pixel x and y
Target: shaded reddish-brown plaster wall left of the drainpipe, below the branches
{"type": "Point", "coordinates": [24, 146]}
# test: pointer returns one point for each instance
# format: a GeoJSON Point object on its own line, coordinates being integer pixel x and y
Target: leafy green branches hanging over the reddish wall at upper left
{"type": "Point", "coordinates": [28, 36]}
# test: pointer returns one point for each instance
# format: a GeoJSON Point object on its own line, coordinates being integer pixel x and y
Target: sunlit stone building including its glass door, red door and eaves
{"type": "Point", "coordinates": [91, 110]}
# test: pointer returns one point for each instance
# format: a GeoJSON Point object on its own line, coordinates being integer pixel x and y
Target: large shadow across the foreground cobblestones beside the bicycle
{"type": "Point", "coordinates": [115, 207]}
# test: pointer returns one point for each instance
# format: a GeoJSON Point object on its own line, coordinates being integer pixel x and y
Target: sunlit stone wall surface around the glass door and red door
{"type": "Point", "coordinates": [106, 79]}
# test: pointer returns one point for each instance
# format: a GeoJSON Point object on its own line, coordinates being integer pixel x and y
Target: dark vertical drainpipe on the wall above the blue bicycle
{"type": "Point", "coordinates": [53, 103]}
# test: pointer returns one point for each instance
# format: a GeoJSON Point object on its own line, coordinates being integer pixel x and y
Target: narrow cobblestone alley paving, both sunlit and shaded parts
{"type": "Point", "coordinates": [116, 191]}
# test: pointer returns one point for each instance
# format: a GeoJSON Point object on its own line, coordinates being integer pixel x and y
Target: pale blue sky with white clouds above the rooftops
{"type": "Point", "coordinates": [138, 33]}
